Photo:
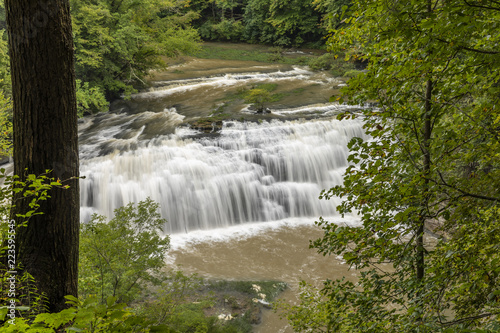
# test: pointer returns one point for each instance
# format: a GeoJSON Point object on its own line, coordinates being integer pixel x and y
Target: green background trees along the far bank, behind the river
{"type": "Point", "coordinates": [118, 43]}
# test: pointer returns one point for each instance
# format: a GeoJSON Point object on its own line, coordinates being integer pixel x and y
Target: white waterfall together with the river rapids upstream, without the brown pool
{"type": "Point", "coordinates": [251, 171]}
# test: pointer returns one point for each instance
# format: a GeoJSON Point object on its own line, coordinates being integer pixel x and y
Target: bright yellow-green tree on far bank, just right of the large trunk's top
{"type": "Point", "coordinates": [118, 42]}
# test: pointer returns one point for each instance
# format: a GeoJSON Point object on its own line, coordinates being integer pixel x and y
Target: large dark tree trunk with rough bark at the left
{"type": "Point", "coordinates": [45, 137]}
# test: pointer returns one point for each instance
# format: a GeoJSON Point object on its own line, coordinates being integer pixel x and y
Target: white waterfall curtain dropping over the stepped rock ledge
{"type": "Point", "coordinates": [251, 172]}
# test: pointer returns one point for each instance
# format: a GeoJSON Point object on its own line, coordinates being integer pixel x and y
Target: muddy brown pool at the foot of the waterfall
{"type": "Point", "coordinates": [280, 253]}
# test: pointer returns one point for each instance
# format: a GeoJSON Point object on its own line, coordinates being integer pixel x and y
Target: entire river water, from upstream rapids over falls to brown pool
{"type": "Point", "coordinates": [241, 202]}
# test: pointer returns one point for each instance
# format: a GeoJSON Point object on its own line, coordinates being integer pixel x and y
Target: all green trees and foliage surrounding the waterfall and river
{"type": "Point", "coordinates": [425, 186]}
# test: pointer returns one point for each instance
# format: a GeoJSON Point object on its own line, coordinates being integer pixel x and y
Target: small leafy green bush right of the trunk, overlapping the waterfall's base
{"type": "Point", "coordinates": [120, 256]}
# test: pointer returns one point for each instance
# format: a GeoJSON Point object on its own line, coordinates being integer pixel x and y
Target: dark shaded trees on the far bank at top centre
{"type": "Point", "coordinates": [274, 22]}
